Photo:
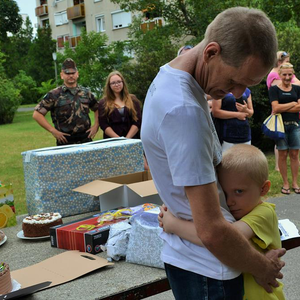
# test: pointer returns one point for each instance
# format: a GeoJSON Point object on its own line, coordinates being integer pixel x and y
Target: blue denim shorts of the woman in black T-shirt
{"type": "Point", "coordinates": [291, 140]}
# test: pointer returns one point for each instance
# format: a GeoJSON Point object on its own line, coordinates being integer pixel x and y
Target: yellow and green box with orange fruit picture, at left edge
{"type": "Point", "coordinates": [7, 206]}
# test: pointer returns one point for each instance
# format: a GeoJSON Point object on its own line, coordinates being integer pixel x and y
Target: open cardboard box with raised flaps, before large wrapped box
{"type": "Point", "coordinates": [122, 191]}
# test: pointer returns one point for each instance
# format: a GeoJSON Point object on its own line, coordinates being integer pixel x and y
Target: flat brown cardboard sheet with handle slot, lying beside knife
{"type": "Point", "coordinates": [58, 269]}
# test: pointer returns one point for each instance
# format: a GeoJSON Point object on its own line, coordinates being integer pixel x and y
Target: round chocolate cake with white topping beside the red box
{"type": "Point", "coordinates": [39, 225]}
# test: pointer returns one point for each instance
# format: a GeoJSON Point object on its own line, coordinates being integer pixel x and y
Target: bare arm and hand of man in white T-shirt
{"type": "Point", "coordinates": [226, 242]}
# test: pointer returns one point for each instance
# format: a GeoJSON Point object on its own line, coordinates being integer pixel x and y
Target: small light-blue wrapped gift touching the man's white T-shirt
{"type": "Point", "coordinates": [145, 245]}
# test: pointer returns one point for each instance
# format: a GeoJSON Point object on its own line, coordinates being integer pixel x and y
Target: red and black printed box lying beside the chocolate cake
{"type": "Point", "coordinates": [85, 235]}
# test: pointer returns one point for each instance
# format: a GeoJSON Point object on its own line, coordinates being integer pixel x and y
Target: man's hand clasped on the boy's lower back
{"type": "Point", "coordinates": [268, 278]}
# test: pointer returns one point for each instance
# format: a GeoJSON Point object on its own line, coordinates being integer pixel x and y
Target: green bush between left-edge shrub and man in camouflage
{"type": "Point", "coordinates": [27, 86]}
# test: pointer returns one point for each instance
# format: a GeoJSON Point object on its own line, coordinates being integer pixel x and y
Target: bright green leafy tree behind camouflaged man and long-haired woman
{"type": "Point", "coordinates": [95, 59]}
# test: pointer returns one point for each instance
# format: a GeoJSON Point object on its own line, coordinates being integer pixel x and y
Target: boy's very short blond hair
{"type": "Point", "coordinates": [248, 160]}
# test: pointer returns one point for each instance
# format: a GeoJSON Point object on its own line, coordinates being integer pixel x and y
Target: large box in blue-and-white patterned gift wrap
{"type": "Point", "coordinates": [51, 173]}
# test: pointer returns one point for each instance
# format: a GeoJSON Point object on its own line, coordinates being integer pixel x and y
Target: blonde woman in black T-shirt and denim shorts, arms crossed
{"type": "Point", "coordinates": [285, 99]}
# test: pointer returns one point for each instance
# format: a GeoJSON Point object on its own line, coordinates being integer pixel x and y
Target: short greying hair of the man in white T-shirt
{"type": "Point", "coordinates": [242, 32]}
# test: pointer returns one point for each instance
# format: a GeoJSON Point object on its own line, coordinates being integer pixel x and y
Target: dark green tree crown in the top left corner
{"type": "Point", "coordinates": [10, 20]}
